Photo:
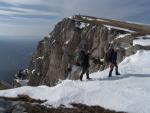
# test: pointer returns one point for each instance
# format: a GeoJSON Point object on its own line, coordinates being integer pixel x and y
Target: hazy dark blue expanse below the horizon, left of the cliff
{"type": "Point", "coordinates": [14, 55]}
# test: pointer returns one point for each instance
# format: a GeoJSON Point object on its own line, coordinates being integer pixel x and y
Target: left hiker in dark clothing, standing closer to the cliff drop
{"type": "Point", "coordinates": [84, 63]}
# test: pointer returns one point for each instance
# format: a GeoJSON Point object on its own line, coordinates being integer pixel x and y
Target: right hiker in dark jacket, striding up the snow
{"type": "Point", "coordinates": [111, 59]}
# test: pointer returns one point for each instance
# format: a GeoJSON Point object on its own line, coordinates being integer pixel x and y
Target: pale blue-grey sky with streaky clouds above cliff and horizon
{"type": "Point", "coordinates": [37, 17]}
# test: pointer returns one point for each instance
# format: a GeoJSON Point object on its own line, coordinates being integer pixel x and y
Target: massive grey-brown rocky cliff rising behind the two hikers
{"type": "Point", "coordinates": [58, 50]}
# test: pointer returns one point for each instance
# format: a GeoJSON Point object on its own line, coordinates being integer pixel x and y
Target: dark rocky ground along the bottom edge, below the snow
{"type": "Point", "coordinates": [9, 106]}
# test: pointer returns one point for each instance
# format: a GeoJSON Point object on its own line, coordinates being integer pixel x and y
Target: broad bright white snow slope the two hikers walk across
{"type": "Point", "coordinates": [128, 92]}
